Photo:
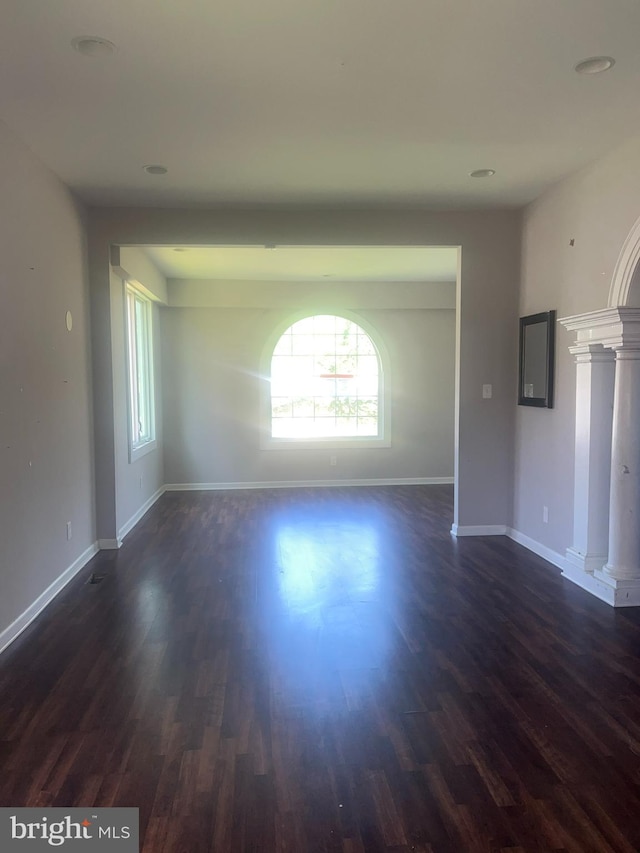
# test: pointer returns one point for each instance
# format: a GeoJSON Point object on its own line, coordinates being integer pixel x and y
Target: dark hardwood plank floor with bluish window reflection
{"type": "Point", "coordinates": [328, 670]}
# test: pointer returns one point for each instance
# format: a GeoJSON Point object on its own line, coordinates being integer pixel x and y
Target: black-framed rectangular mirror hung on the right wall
{"type": "Point", "coordinates": [537, 351]}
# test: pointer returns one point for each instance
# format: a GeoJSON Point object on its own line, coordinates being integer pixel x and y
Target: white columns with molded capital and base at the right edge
{"type": "Point", "coordinates": [607, 461]}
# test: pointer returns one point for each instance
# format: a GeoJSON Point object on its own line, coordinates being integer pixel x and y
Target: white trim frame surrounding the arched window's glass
{"type": "Point", "coordinates": [383, 439]}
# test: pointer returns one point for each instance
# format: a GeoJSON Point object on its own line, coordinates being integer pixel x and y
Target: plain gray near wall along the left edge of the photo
{"type": "Point", "coordinates": [46, 470]}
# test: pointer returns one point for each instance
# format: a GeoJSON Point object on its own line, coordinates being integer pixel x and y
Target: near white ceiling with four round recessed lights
{"type": "Point", "coordinates": [319, 102]}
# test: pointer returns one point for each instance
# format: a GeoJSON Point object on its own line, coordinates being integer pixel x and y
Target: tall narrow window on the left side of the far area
{"type": "Point", "coordinates": [140, 352]}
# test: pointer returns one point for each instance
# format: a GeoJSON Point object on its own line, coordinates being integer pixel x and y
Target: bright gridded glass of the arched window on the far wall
{"type": "Point", "coordinates": [326, 382]}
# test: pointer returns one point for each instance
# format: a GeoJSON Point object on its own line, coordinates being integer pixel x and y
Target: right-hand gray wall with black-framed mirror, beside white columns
{"type": "Point", "coordinates": [597, 209]}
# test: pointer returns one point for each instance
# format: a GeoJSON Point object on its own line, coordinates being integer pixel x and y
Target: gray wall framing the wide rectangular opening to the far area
{"type": "Point", "coordinates": [487, 311]}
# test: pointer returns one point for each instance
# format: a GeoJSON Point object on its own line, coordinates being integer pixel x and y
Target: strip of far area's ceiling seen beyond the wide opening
{"type": "Point", "coordinates": [307, 263]}
